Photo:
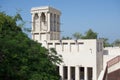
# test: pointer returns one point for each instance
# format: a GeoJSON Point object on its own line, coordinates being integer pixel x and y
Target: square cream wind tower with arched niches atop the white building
{"type": "Point", "coordinates": [45, 23]}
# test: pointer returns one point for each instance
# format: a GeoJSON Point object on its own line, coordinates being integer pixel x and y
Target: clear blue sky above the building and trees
{"type": "Point", "coordinates": [103, 16]}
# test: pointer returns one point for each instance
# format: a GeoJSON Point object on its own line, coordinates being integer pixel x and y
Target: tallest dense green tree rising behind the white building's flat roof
{"type": "Point", "coordinates": [90, 34]}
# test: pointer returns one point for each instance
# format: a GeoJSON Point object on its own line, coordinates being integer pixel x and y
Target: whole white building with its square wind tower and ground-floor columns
{"type": "Point", "coordinates": [82, 59]}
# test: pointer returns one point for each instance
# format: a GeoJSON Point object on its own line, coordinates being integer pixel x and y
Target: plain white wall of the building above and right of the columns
{"type": "Point", "coordinates": [81, 53]}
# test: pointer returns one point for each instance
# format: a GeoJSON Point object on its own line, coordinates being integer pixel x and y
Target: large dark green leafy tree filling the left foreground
{"type": "Point", "coordinates": [22, 58]}
